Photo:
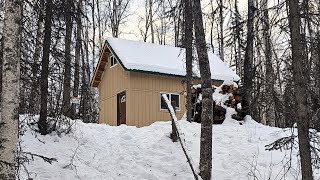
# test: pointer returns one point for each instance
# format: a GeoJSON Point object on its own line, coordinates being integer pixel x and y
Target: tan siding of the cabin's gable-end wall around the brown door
{"type": "Point", "coordinates": [114, 80]}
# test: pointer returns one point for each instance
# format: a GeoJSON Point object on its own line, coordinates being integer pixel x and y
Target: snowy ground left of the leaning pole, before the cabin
{"type": "Point", "coordinates": [106, 152]}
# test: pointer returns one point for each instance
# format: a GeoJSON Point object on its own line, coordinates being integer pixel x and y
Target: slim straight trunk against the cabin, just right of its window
{"type": "Point", "coordinates": [188, 44]}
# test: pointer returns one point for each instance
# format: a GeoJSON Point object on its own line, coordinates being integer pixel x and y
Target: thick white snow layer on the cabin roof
{"type": "Point", "coordinates": [141, 56]}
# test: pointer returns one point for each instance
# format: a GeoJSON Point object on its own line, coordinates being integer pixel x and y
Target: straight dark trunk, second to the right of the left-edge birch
{"type": "Point", "coordinates": [66, 108]}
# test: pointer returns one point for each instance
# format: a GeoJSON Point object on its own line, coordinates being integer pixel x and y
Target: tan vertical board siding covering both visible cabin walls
{"type": "Point", "coordinates": [142, 95]}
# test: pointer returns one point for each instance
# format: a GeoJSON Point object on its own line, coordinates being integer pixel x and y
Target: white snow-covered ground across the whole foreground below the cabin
{"type": "Point", "coordinates": [103, 152]}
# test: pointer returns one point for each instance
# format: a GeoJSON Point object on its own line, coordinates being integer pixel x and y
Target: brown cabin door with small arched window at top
{"type": "Point", "coordinates": [121, 108]}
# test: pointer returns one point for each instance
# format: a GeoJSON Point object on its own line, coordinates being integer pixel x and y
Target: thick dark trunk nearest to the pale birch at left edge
{"type": "Point", "coordinates": [43, 124]}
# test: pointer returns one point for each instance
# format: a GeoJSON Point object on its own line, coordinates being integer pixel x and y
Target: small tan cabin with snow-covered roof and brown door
{"type": "Point", "coordinates": [131, 77]}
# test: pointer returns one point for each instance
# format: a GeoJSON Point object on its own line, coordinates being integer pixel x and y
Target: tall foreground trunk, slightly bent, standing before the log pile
{"type": "Point", "coordinates": [206, 86]}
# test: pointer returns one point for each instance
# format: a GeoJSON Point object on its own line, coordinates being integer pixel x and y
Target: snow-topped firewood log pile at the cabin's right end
{"type": "Point", "coordinates": [226, 95]}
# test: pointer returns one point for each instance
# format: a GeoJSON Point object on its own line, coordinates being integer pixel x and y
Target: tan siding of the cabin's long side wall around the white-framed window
{"type": "Point", "coordinates": [145, 97]}
